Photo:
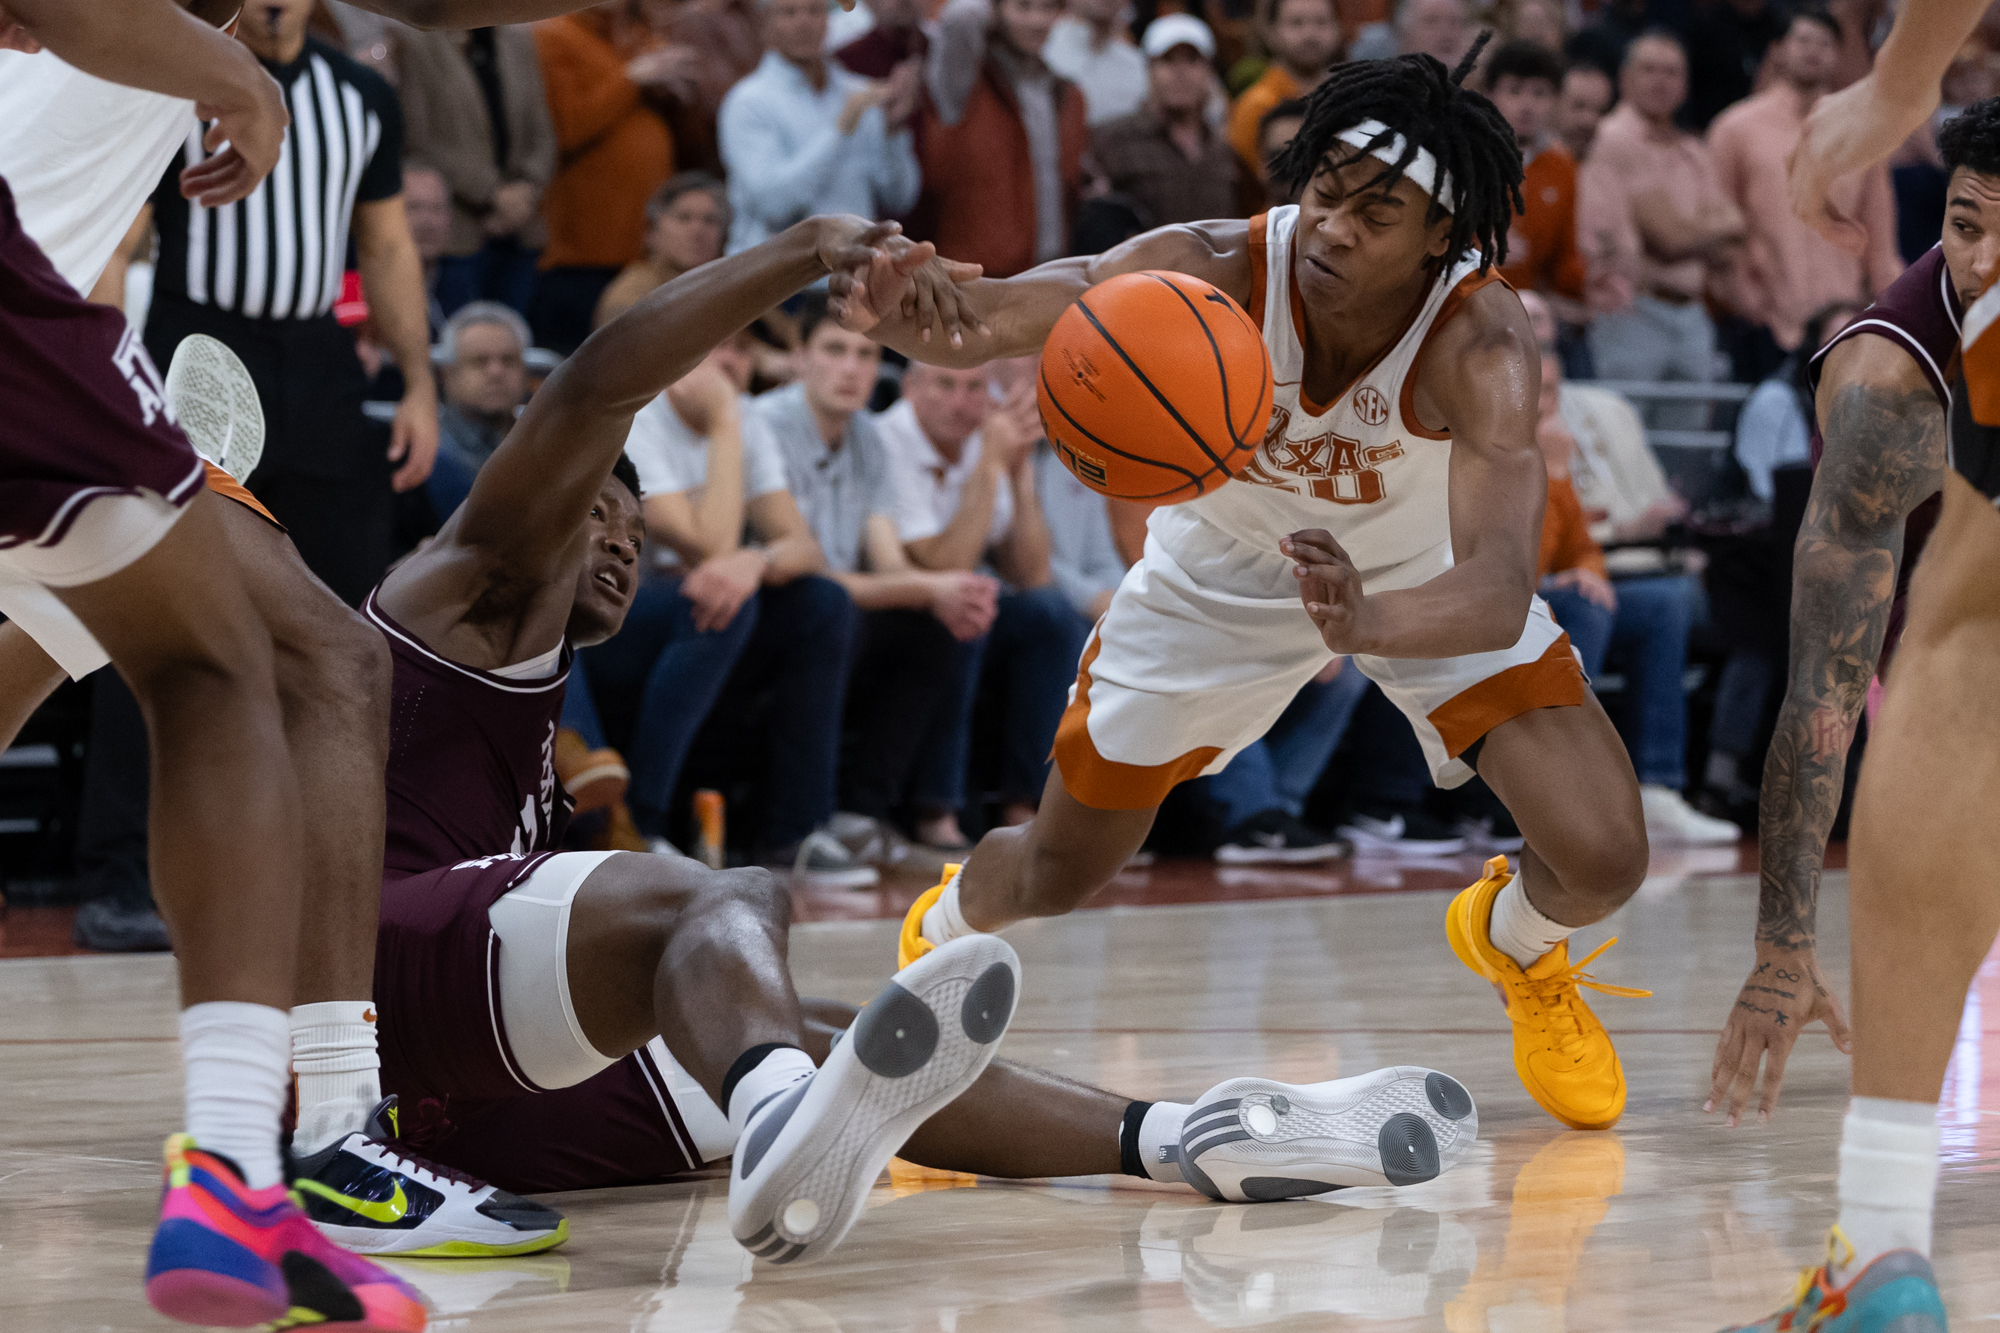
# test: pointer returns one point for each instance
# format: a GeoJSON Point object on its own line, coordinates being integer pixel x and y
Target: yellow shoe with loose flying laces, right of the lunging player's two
{"type": "Point", "coordinates": [1561, 1052]}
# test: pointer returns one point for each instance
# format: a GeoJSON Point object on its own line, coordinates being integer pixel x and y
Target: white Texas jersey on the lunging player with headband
{"type": "Point", "coordinates": [1359, 467]}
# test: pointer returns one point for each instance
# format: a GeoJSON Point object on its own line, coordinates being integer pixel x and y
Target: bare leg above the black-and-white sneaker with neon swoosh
{"type": "Point", "coordinates": [333, 684]}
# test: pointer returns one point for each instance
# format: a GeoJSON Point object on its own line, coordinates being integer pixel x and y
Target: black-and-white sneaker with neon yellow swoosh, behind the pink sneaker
{"type": "Point", "coordinates": [373, 1198]}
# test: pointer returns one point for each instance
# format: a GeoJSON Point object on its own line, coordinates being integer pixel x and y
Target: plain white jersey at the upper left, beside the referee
{"type": "Point", "coordinates": [81, 155]}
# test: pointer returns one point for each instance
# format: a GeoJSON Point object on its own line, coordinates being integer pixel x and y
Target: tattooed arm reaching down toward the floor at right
{"type": "Point", "coordinates": [1885, 455]}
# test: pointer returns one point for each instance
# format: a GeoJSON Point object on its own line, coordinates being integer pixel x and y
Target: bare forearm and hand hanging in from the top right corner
{"type": "Point", "coordinates": [1869, 119]}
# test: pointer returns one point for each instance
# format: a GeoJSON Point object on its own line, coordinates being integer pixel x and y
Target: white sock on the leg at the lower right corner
{"type": "Point", "coordinates": [1889, 1178]}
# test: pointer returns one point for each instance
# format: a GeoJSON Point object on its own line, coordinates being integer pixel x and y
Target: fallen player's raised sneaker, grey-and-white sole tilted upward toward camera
{"type": "Point", "coordinates": [809, 1158]}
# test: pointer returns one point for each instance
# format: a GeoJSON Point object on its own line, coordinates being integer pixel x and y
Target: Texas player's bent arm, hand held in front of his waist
{"type": "Point", "coordinates": [1481, 381]}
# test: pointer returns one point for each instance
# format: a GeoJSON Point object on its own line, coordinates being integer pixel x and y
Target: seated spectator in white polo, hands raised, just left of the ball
{"type": "Point", "coordinates": [963, 471]}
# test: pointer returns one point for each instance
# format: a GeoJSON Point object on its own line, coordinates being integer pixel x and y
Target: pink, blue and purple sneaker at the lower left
{"type": "Point", "coordinates": [229, 1256]}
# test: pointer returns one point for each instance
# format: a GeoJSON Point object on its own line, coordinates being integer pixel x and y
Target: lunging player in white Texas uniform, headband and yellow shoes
{"type": "Point", "coordinates": [1399, 495]}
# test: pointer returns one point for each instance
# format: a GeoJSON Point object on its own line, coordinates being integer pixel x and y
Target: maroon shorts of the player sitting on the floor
{"type": "Point", "coordinates": [465, 1100]}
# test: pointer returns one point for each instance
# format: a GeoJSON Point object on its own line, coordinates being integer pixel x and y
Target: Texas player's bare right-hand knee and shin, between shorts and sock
{"type": "Point", "coordinates": [1567, 780]}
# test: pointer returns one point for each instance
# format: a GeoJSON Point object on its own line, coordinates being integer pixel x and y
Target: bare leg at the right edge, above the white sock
{"type": "Point", "coordinates": [1921, 892]}
